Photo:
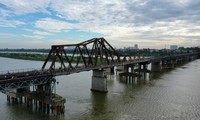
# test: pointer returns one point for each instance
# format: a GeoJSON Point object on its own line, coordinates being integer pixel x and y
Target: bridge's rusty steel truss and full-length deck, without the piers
{"type": "Point", "coordinates": [92, 54]}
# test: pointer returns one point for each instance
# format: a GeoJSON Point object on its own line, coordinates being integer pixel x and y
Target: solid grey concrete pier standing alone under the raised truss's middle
{"type": "Point", "coordinates": [99, 82]}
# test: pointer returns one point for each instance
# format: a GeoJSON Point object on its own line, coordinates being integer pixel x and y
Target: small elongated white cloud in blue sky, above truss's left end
{"type": "Point", "coordinates": [53, 25]}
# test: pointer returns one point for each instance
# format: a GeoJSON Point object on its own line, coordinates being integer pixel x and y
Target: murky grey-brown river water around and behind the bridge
{"type": "Point", "coordinates": [170, 95]}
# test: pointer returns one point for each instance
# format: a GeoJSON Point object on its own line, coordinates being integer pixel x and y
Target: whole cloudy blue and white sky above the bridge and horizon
{"type": "Point", "coordinates": [123, 23]}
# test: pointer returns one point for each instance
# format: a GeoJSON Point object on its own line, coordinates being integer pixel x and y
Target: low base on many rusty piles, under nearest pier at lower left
{"type": "Point", "coordinates": [40, 102]}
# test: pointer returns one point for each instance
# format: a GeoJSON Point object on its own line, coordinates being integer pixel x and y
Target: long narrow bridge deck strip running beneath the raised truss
{"type": "Point", "coordinates": [36, 74]}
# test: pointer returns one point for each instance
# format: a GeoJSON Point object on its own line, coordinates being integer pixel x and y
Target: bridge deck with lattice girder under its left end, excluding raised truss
{"type": "Point", "coordinates": [9, 81]}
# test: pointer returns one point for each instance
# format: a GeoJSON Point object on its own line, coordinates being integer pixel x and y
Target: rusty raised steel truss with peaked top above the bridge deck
{"type": "Point", "coordinates": [93, 52]}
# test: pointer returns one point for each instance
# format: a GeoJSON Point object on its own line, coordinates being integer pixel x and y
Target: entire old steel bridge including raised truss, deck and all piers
{"type": "Point", "coordinates": [96, 54]}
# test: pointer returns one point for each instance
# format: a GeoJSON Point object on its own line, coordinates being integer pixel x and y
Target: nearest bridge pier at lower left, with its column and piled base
{"type": "Point", "coordinates": [41, 99]}
